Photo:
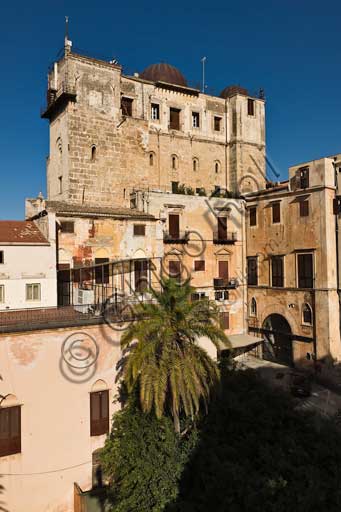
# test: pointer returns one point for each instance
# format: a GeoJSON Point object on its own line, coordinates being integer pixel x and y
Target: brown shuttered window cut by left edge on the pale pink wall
{"type": "Point", "coordinates": [10, 430]}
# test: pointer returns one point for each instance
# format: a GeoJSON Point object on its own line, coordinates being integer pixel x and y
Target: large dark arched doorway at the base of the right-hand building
{"type": "Point", "coordinates": [277, 344]}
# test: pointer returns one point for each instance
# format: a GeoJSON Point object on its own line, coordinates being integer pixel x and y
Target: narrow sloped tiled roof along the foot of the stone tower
{"type": "Point", "coordinates": [61, 207]}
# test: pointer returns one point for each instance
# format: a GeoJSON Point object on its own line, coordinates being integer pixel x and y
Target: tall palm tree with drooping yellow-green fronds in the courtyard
{"type": "Point", "coordinates": [172, 372]}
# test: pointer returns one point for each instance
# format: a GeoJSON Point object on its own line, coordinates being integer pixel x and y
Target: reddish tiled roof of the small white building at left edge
{"type": "Point", "coordinates": [21, 232]}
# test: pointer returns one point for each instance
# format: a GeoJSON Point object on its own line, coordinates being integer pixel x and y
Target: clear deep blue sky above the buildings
{"type": "Point", "coordinates": [289, 48]}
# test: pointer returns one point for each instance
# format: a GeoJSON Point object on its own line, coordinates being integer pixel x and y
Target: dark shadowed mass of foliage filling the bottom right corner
{"type": "Point", "coordinates": [257, 452]}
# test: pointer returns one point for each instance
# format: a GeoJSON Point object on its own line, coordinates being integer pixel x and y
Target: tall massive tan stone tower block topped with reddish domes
{"type": "Point", "coordinates": [111, 133]}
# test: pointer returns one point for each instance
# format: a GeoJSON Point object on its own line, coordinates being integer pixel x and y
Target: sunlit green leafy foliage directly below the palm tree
{"type": "Point", "coordinates": [144, 459]}
